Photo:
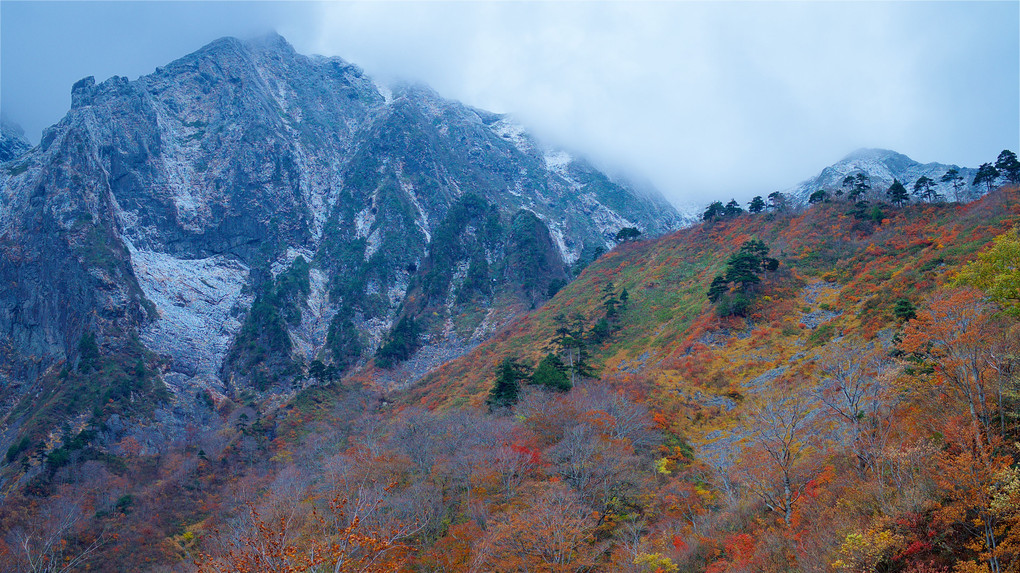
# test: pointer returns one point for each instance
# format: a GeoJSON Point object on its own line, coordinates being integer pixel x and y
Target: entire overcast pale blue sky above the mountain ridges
{"type": "Point", "coordinates": [706, 100]}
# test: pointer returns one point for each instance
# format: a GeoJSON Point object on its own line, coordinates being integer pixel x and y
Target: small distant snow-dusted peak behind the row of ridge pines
{"type": "Point", "coordinates": [882, 167]}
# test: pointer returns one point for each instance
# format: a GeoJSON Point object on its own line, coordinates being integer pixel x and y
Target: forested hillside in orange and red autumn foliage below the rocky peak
{"type": "Point", "coordinates": [828, 389]}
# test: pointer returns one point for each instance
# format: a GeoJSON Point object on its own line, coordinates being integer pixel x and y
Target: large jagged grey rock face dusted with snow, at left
{"type": "Point", "coordinates": [247, 211]}
